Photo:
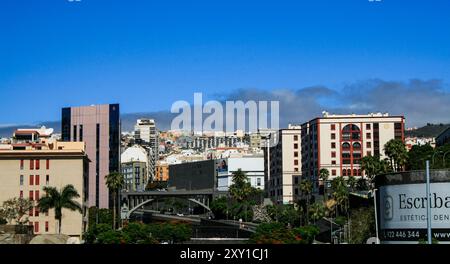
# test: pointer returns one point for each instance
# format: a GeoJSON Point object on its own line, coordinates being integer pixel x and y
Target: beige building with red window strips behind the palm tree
{"type": "Point", "coordinates": [33, 161]}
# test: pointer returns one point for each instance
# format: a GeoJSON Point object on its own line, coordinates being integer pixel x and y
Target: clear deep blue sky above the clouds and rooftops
{"type": "Point", "coordinates": [147, 54]}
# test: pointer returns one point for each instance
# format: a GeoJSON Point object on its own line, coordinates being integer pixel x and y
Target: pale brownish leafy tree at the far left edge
{"type": "Point", "coordinates": [16, 209]}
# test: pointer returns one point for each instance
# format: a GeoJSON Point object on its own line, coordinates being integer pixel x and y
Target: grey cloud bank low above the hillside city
{"type": "Point", "coordinates": [420, 101]}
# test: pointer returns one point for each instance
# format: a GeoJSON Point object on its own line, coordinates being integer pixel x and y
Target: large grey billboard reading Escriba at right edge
{"type": "Point", "coordinates": [403, 212]}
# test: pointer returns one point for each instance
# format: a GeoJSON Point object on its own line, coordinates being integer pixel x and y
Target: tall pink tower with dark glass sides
{"type": "Point", "coordinates": [99, 127]}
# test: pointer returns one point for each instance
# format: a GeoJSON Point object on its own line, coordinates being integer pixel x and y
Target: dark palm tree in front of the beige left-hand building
{"type": "Point", "coordinates": [59, 200]}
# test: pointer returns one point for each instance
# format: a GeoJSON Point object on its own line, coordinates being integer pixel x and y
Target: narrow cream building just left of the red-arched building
{"type": "Point", "coordinates": [283, 177]}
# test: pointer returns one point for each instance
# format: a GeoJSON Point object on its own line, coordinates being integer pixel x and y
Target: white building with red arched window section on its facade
{"type": "Point", "coordinates": [339, 142]}
